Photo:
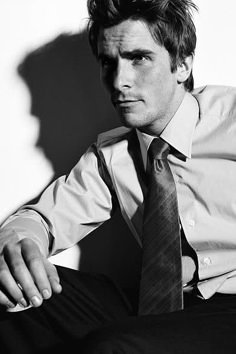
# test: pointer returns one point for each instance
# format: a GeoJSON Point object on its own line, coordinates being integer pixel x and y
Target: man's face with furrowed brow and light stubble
{"type": "Point", "coordinates": [136, 72]}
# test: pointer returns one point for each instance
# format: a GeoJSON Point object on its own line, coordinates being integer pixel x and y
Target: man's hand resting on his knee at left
{"type": "Point", "coordinates": [26, 276]}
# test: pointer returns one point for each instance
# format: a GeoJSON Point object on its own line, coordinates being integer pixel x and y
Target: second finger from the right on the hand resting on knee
{"type": "Point", "coordinates": [34, 262]}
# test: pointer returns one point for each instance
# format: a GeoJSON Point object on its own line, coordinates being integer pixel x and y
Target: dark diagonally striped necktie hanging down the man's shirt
{"type": "Point", "coordinates": [161, 275]}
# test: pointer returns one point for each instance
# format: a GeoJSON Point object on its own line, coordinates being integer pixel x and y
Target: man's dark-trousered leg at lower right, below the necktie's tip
{"type": "Point", "coordinates": [208, 327]}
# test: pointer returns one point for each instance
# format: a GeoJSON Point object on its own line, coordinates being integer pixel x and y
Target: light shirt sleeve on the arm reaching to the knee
{"type": "Point", "coordinates": [70, 208]}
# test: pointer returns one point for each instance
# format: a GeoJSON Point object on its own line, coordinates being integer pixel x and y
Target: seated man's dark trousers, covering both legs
{"type": "Point", "coordinates": [92, 315]}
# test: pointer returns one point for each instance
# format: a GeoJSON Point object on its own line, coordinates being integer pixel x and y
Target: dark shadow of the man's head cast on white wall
{"type": "Point", "coordinates": [67, 97]}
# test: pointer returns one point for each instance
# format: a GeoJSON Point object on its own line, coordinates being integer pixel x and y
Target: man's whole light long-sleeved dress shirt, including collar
{"type": "Point", "coordinates": [203, 133]}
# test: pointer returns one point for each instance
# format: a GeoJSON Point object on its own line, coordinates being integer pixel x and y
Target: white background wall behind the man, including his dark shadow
{"type": "Point", "coordinates": [52, 107]}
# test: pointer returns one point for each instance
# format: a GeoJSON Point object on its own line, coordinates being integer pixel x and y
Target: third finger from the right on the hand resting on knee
{"type": "Point", "coordinates": [22, 275]}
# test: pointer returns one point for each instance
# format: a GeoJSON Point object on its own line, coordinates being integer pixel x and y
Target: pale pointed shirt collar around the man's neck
{"type": "Point", "coordinates": [179, 131]}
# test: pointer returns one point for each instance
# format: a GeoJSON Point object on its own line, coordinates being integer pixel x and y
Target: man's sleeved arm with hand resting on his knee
{"type": "Point", "coordinates": [68, 210]}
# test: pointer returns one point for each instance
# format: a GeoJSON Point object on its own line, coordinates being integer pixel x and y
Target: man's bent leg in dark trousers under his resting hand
{"type": "Point", "coordinates": [87, 301]}
